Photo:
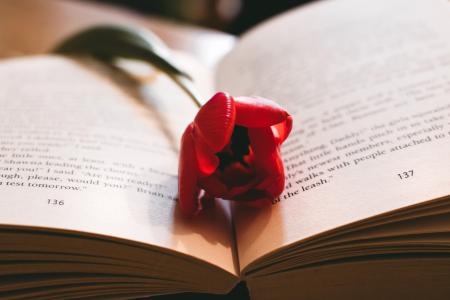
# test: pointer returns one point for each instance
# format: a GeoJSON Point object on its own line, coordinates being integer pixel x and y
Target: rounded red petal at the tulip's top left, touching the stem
{"type": "Point", "coordinates": [215, 121]}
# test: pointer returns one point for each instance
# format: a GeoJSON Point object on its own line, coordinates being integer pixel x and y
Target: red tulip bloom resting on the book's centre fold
{"type": "Point", "coordinates": [232, 151]}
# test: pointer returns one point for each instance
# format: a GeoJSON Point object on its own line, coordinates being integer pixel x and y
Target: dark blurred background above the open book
{"type": "Point", "coordinates": [232, 16]}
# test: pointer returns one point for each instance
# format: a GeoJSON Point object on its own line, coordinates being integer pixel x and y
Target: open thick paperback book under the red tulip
{"type": "Point", "coordinates": [88, 170]}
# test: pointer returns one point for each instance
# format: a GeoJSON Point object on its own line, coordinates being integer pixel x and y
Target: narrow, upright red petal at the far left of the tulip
{"type": "Point", "coordinates": [188, 190]}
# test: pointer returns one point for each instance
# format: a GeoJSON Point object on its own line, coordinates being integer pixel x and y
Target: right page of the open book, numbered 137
{"type": "Point", "coordinates": [368, 84]}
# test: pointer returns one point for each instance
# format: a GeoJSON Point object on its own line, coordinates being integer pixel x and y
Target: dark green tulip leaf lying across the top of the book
{"type": "Point", "coordinates": [108, 42]}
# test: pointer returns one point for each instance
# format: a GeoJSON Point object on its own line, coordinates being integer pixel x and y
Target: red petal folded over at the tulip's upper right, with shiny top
{"type": "Point", "coordinates": [255, 111]}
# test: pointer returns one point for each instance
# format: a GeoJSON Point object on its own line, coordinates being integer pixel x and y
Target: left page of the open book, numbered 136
{"type": "Point", "coordinates": [80, 152]}
